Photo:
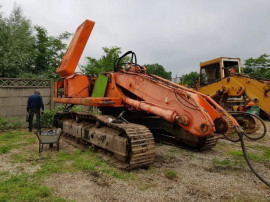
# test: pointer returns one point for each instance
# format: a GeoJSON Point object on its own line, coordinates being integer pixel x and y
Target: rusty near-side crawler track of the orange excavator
{"type": "Point", "coordinates": [131, 144]}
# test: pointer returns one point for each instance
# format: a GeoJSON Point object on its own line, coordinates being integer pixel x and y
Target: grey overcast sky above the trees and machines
{"type": "Point", "coordinates": [176, 34]}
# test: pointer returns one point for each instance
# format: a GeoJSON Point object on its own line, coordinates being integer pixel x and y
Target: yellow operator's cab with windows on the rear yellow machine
{"type": "Point", "coordinates": [216, 69]}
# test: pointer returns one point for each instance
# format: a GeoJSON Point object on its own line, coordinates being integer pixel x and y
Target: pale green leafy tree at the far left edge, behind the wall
{"type": "Point", "coordinates": [16, 42]}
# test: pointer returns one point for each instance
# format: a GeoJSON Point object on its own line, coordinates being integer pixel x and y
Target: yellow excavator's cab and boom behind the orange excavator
{"type": "Point", "coordinates": [223, 80]}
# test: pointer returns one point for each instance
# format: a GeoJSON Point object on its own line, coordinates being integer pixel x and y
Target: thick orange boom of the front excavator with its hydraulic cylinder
{"type": "Point", "coordinates": [167, 100]}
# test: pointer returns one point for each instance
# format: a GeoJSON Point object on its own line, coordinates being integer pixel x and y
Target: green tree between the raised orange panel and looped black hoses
{"type": "Point", "coordinates": [105, 63]}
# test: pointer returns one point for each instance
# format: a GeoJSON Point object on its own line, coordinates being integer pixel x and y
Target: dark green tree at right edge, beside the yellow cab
{"type": "Point", "coordinates": [258, 67]}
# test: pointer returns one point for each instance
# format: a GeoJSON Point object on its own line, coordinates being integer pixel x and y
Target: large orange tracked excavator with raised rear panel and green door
{"type": "Point", "coordinates": [137, 108]}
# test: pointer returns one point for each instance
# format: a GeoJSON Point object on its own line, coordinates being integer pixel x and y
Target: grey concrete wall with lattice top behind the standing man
{"type": "Point", "coordinates": [14, 94]}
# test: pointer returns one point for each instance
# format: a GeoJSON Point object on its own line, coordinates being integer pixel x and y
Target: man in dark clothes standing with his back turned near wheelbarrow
{"type": "Point", "coordinates": [34, 104]}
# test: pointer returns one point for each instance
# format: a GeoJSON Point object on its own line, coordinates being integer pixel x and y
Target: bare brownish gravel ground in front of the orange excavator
{"type": "Point", "coordinates": [195, 178]}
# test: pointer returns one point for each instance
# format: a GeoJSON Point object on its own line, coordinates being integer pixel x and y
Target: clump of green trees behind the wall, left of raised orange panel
{"type": "Point", "coordinates": [25, 53]}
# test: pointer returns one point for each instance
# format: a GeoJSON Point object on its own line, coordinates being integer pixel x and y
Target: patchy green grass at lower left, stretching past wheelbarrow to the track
{"type": "Point", "coordinates": [29, 187]}
